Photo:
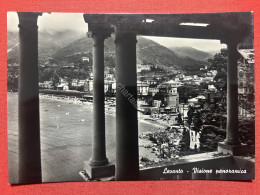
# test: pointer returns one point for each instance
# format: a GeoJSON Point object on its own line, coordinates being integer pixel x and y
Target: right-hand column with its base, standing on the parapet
{"type": "Point", "coordinates": [232, 144]}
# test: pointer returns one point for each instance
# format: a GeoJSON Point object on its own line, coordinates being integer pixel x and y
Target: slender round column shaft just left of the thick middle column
{"type": "Point", "coordinates": [98, 139]}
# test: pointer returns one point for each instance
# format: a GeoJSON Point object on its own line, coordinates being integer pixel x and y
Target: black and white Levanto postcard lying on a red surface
{"type": "Point", "coordinates": [123, 97]}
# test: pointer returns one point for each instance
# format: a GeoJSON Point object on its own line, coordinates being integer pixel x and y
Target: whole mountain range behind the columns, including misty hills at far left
{"type": "Point", "coordinates": [68, 46]}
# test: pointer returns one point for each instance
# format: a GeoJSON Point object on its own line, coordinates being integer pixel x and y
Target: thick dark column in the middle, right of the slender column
{"type": "Point", "coordinates": [127, 156]}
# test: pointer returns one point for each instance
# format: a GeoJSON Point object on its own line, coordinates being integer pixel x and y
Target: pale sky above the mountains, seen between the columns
{"type": "Point", "coordinates": [75, 21]}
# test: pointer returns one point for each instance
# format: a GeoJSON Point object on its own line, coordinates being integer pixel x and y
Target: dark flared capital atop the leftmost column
{"type": "Point", "coordinates": [28, 19]}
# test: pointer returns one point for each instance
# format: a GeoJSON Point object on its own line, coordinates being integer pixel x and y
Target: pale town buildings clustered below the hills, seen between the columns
{"type": "Point", "coordinates": [172, 95]}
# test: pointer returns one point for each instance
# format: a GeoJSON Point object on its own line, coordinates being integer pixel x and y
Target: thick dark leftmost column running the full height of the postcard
{"type": "Point", "coordinates": [28, 111]}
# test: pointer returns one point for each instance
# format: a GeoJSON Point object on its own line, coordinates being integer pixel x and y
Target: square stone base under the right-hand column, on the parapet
{"type": "Point", "coordinates": [234, 150]}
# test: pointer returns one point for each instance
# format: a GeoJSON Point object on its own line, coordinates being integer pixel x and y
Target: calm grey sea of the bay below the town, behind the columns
{"type": "Point", "coordinates": [66, 137]}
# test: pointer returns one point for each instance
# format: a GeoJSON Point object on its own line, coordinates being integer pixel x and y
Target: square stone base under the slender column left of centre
{"type": "Point", "coordinates": [99, 171]}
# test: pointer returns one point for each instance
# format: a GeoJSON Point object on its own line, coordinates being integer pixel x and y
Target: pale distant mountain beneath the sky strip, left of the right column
{"type": "Point", "coordinates": [191, 53]}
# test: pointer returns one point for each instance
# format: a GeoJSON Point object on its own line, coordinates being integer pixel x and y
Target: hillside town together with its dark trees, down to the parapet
{"type": "Point", "coordinates": [177, 100]}
